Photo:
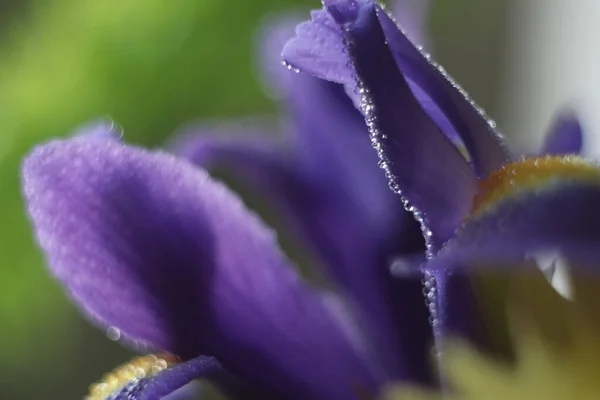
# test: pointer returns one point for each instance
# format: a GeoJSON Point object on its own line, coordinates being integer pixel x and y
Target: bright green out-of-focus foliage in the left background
{"type": "Point", "coordinates": [151, 65]}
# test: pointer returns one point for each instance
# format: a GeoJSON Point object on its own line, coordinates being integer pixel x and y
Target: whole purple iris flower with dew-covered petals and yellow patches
{"type": "Point", "coordinates": [151, 245]}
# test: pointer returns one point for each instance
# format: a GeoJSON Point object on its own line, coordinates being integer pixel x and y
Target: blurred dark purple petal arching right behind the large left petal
{"type": "Point", "coordinates": [327, 216]}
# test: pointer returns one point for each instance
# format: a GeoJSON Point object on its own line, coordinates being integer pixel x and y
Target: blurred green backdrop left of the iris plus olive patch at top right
{"type": "Point", "coordinates": [152, 66]}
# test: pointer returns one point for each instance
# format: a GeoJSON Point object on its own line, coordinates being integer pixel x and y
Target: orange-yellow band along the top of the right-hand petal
{"type": "Point", "coordinates": [531, 174]}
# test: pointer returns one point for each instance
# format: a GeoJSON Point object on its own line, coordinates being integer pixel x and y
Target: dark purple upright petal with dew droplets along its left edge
{"type": "Point", "coordinates": [419, 160]}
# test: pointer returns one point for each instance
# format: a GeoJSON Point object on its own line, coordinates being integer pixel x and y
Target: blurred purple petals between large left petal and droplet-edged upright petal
{"type": "Point", "coordinates": [329, 191]}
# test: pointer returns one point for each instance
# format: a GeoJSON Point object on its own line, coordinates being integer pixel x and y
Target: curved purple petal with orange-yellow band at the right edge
{"type": "Point", "coordinates": [529, 208]}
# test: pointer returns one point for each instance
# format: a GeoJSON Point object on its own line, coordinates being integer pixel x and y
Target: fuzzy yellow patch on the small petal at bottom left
{"type": "Point", "coordinates": [131, 373]}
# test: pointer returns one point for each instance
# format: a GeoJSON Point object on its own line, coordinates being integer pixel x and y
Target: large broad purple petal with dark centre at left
{"type": "Point", "coordinates": [151, 245]}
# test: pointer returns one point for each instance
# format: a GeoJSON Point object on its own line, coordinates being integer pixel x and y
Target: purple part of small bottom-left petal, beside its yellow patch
{"type": "Point", "coordinates": [166, 382]}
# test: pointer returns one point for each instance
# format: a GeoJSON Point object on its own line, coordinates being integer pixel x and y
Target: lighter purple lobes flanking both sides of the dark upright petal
{"type": "Point", "coordinates": [317, 50]}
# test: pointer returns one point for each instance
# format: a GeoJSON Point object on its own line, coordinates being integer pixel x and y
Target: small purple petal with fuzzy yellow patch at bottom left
{"type": "Point", "coordinates": [154, 380]}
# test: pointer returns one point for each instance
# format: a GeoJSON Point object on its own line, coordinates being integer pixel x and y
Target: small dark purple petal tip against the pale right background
{"type": "Point", "coordinates": [565, 136]}
